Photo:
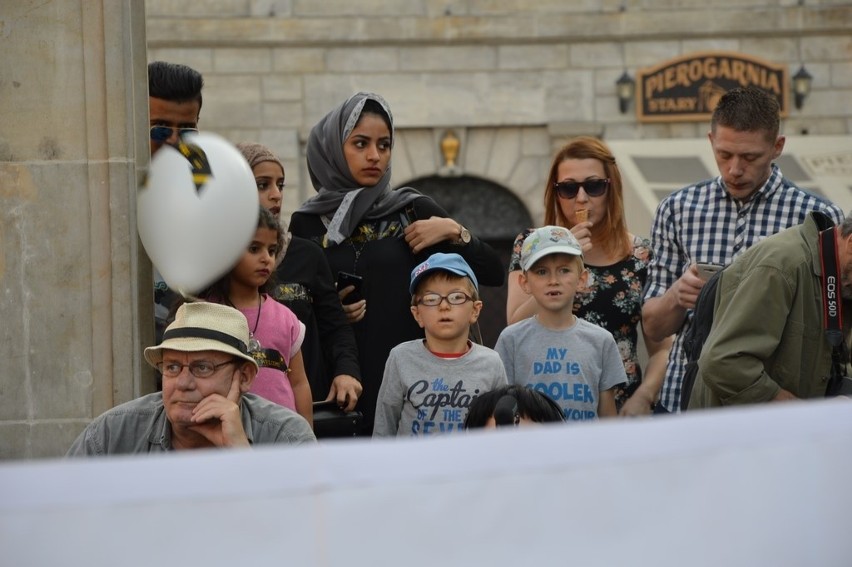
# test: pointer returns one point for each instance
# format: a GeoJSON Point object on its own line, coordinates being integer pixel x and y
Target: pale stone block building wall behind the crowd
{"type": "Point", "coordinates": [545, 69]}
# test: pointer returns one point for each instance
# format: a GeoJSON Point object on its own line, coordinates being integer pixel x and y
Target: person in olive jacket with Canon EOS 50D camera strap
{"type": "Point", "coordinates": [778, 331]}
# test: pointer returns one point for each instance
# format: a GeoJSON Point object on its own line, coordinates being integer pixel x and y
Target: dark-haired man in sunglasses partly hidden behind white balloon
{"type": "Point", "coordinates": [174, 105]}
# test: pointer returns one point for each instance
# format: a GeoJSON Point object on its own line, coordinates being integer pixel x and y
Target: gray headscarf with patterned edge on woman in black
{"type": "Point", "coordinates": [338, 194]}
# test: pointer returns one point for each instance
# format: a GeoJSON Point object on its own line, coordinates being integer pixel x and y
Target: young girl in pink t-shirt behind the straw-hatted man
{"type": "Point", "coordinates": [276, 334]}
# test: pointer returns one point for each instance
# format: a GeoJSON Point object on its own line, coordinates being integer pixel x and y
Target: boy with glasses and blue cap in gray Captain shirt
{"type": "Point", "coordinates": [429, 383]}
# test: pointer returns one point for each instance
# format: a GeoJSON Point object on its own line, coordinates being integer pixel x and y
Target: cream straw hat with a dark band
{"type": "Point", "coordinates": [204, 326]}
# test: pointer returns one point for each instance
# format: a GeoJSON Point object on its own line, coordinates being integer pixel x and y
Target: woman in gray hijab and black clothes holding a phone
{"type": "Point", "coordinates": [368, 230]}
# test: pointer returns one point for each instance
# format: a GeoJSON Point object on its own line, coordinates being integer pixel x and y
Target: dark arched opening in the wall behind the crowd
{"type": "Point", "coordinates": [494, 214]}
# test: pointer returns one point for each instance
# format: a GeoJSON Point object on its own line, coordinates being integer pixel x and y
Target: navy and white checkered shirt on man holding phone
{"type": "Point", "coordinates": [702, 223]}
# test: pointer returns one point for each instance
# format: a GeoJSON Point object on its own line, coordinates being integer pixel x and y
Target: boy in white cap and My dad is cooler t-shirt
{"type": "Point", "coordinates": [554, 352]}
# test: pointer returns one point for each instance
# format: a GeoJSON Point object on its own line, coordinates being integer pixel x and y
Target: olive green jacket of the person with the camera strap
{"type": "Point", "coordinates": [767, 331]}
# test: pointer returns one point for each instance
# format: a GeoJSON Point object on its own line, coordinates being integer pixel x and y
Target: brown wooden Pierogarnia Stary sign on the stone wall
{"type": "Point", "coordinates": [688, 88]}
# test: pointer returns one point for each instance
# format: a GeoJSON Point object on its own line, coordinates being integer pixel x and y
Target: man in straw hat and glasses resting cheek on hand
{"type": "Point", "coordinates": [207, 372]}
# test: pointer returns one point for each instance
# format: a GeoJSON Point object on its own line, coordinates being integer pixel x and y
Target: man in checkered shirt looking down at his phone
{"type": "Point", "coordinates": [715, 221]}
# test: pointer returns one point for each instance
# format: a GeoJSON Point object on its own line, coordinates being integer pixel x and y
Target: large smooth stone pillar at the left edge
{"type": "Point", "coordinates": [73, 110]}
